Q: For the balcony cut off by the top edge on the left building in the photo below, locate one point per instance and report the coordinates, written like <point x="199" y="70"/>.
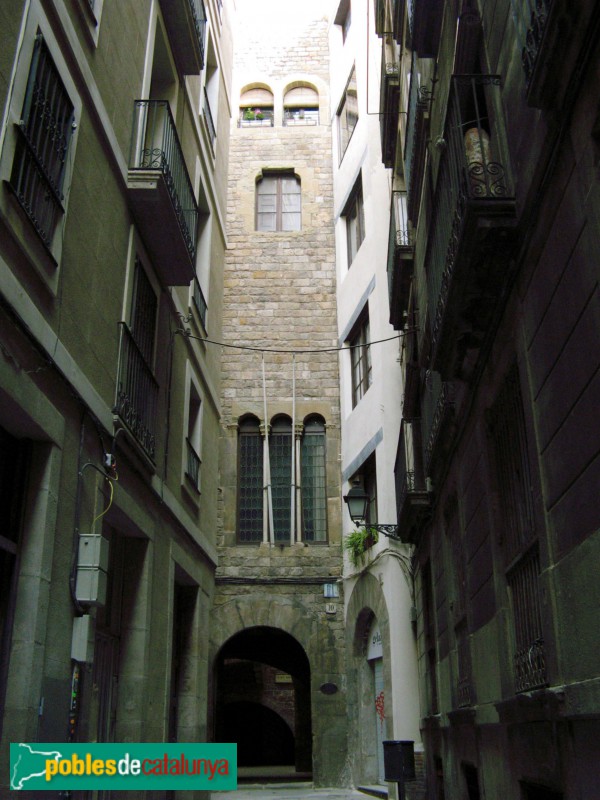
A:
<point x="185" y="21"/>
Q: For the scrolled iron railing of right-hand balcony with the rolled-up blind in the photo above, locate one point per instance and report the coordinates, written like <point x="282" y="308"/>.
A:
<point x="473" y="172"/>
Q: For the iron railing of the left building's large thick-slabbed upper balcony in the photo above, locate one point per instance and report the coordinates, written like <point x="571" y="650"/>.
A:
<point x="155" y="146"/>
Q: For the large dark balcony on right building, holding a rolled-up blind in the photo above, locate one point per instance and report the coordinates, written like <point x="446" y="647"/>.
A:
<point x="472" y="227"/>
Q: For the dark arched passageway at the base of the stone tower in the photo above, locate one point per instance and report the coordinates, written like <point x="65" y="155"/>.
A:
<point x="263" y="700"/>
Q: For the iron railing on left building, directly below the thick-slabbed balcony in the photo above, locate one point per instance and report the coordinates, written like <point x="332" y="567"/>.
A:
<point x="137" y="393"/>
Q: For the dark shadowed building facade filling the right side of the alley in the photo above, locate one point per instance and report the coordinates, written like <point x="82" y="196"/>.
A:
<point x="492" y="131"/>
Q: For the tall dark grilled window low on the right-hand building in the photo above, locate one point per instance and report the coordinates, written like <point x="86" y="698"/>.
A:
<point x="519" y="535"/>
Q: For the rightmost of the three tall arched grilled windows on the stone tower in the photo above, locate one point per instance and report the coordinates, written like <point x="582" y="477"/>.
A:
<point x="314" y="486"/>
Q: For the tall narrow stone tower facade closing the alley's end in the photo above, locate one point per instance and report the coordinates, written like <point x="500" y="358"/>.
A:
<point x="274" y="576"/>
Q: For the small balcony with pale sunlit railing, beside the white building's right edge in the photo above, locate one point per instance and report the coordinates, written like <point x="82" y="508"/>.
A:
<point x="400" y="260"/>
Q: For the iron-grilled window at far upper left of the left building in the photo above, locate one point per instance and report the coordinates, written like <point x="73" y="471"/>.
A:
<point x="42" y="148"/>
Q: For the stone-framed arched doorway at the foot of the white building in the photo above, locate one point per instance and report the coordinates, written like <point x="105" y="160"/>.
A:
<point x="366" y="603"/>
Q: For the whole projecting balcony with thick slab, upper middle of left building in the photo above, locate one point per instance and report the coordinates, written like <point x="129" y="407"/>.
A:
<point x="160" y="193"/>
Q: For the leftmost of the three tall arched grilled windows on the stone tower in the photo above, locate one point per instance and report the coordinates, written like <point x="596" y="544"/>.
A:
<point x="250" y="481"/>
